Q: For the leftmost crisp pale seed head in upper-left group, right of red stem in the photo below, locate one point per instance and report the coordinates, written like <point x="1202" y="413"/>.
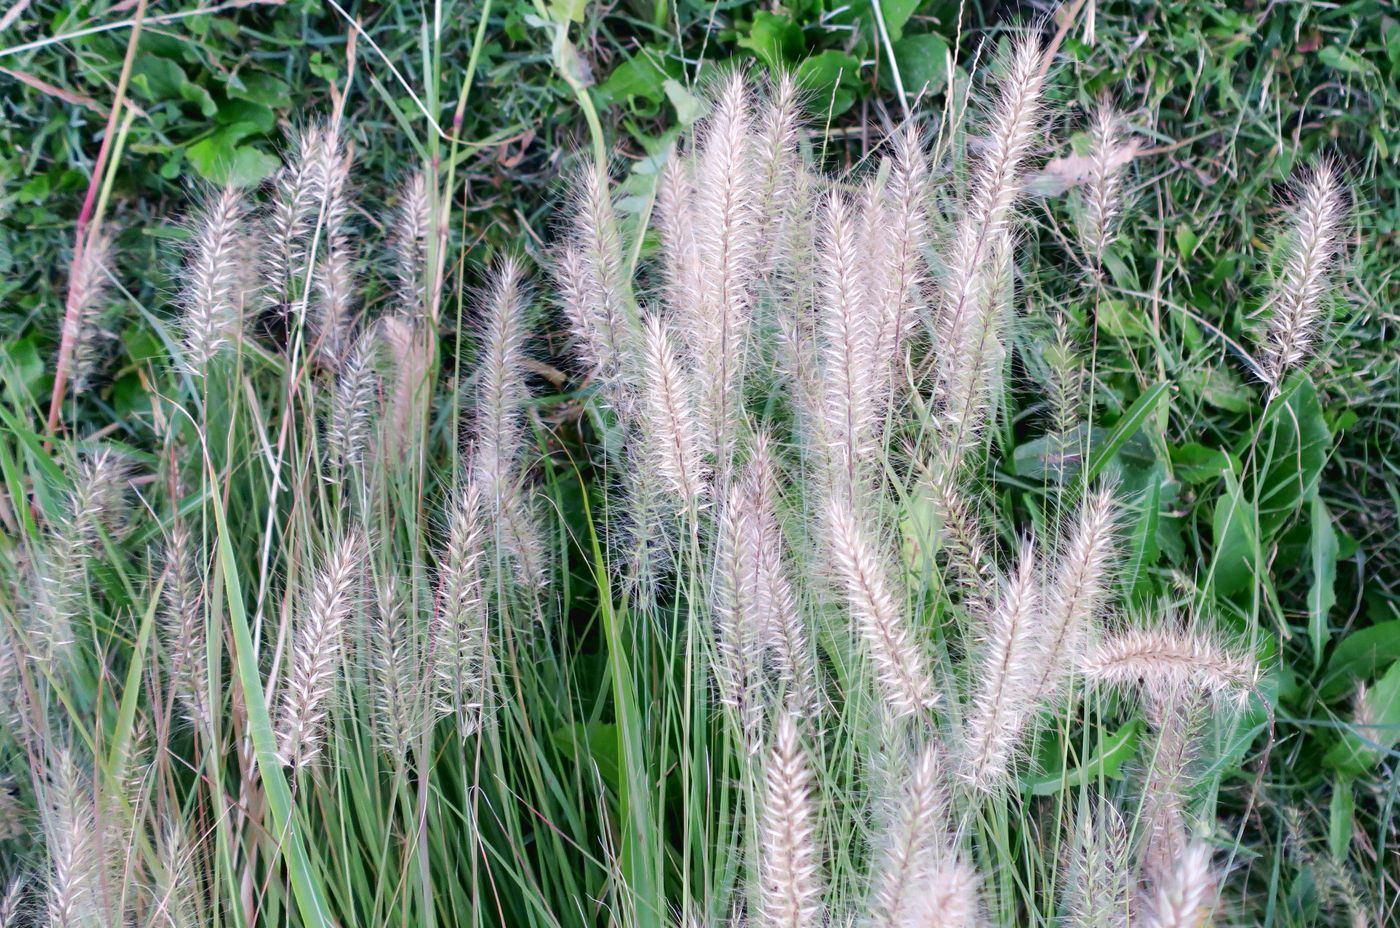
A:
<point x="215" y="286"/>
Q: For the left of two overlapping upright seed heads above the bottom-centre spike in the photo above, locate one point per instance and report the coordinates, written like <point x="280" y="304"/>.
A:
<point x="737" y="617"/>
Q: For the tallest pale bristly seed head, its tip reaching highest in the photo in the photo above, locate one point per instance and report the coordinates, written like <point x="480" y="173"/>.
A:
<point x="978" y="260"/>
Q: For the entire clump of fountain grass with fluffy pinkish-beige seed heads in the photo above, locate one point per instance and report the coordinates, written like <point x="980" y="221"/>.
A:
<point x="820" y="579"/>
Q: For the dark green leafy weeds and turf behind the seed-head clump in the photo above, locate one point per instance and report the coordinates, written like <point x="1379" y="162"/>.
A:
<point x="1228" y="99"/>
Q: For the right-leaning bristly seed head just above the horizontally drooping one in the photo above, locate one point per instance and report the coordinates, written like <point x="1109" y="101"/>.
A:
<point x="1079" y="589"/>
